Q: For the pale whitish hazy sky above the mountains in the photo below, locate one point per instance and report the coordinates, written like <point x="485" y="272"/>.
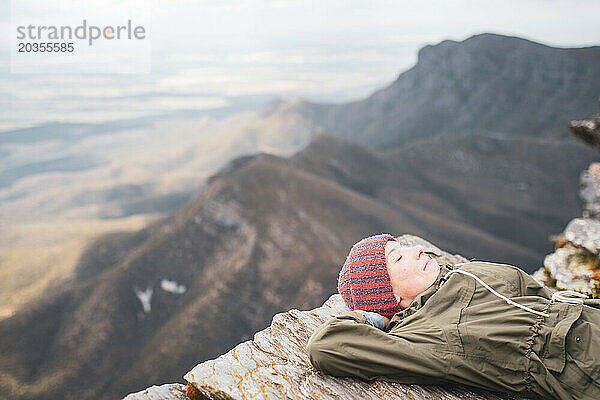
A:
<point x="327" y="50"/>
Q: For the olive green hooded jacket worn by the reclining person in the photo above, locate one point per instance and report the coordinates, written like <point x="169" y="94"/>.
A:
<point x="458" y="331"/>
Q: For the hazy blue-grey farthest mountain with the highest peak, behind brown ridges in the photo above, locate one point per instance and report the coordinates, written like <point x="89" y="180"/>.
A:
<point x="487" y="83"/>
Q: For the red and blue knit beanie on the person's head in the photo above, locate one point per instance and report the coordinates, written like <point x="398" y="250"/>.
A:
<point x="364" y="282"/>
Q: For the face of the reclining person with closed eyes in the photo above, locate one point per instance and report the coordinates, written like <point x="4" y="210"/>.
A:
<point x="410" y="270"/>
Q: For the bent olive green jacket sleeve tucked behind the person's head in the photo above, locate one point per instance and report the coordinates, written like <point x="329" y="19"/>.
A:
<point x="348" y="346"/>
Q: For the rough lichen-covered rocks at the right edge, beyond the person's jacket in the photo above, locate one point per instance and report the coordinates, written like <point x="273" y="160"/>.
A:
<point x="575" y="264"/>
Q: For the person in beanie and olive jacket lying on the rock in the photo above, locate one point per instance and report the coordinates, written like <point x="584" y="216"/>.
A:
<point x="482" y="324"/>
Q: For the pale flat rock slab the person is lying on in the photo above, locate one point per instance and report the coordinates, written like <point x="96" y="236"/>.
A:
<point x="275" y="365"/>
